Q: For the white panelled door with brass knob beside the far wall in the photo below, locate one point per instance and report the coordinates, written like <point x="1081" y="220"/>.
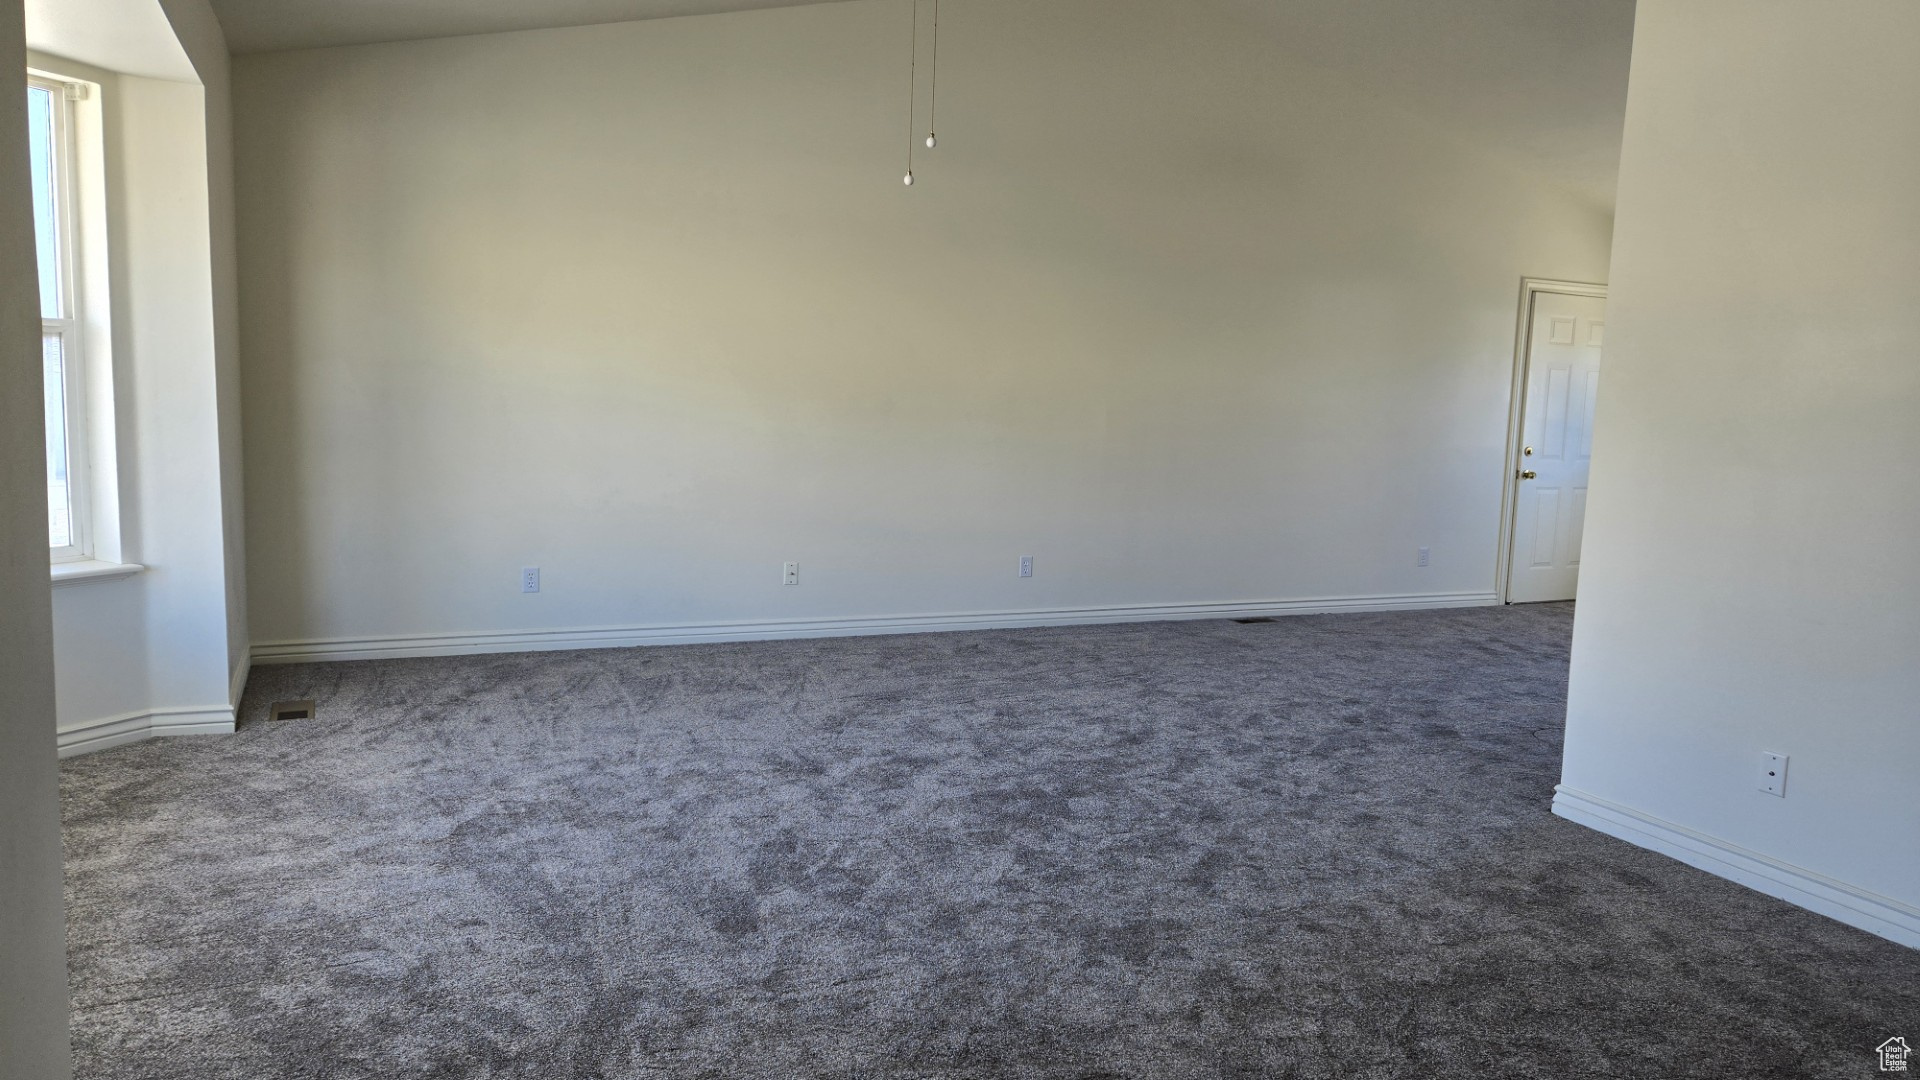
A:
<point x="1558" y="447"/>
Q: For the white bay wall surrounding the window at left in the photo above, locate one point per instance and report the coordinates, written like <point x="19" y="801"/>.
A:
<point x="162" y="649"/>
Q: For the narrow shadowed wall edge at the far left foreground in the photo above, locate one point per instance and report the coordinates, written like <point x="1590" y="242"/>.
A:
<point x="34" y="941"/>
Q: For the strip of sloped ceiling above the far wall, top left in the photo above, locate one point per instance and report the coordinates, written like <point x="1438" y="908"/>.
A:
<point x="272" y="26"/>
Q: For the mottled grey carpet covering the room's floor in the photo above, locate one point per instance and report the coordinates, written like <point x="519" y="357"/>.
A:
<point x="1307" y="848"/>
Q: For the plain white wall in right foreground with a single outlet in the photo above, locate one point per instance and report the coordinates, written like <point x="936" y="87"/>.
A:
<point x="1750" y="579"/>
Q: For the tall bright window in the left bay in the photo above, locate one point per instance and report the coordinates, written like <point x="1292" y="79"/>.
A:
<point x="51" y="134"/>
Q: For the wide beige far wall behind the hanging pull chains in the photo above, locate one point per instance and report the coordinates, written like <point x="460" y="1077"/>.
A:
<point x="1174" y="308"/>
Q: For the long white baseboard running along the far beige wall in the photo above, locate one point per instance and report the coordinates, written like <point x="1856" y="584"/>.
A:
<point x="694" y="633"/>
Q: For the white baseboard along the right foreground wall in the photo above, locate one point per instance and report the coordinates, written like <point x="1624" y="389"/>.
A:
<point x="1796" y="885"/>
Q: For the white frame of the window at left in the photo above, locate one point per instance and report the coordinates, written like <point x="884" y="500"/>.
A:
<point x="72" y="324"/>
